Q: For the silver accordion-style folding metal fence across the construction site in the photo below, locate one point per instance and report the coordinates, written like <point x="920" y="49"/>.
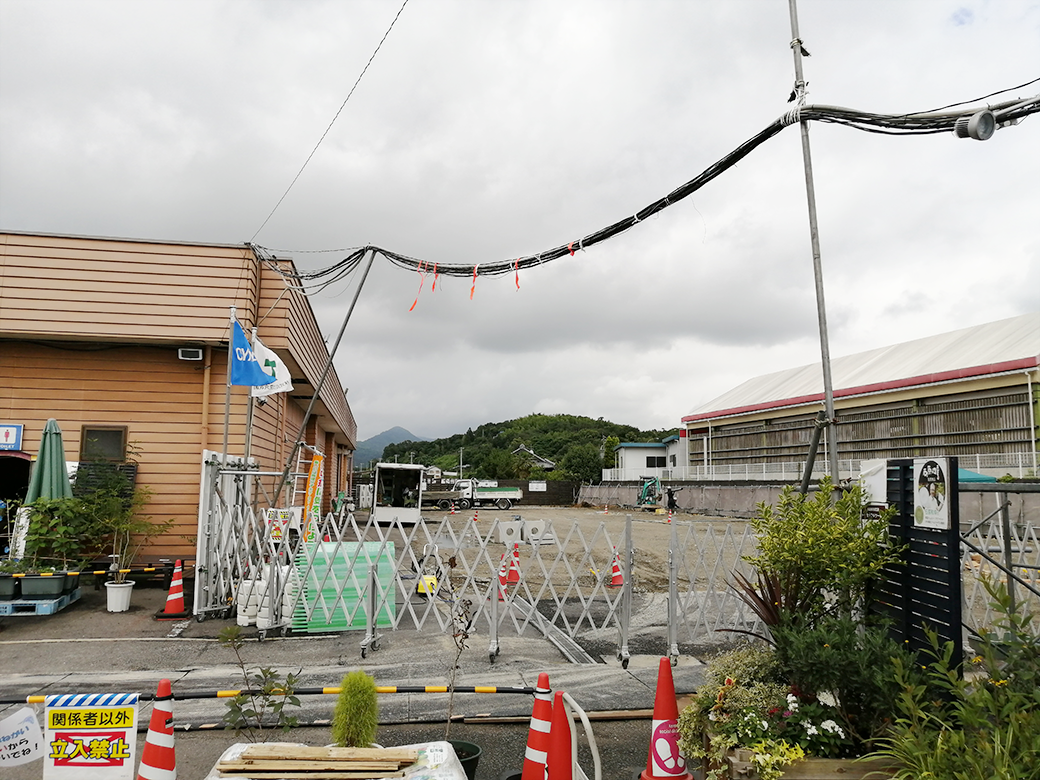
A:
<point x="579" y="584"/>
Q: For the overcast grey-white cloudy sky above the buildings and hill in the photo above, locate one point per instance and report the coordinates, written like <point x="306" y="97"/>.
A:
<point x="485" y="131"/>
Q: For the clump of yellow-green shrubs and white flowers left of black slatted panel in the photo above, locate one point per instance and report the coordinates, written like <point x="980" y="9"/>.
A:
<point x="816" y="690"/>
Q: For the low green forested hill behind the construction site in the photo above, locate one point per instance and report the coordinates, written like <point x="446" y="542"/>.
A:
<point x="580" y="447"/>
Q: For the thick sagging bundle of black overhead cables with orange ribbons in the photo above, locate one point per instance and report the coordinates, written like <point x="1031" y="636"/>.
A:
<point x="914" y="124"/>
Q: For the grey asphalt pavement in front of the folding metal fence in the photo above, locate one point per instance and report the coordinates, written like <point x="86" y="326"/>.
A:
<point x="86" y="649"/>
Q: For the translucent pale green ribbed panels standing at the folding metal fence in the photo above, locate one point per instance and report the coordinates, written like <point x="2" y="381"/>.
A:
<point x="332" y="593"/>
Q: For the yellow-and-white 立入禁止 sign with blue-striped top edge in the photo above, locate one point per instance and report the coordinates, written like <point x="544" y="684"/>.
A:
<point x="91" y="737"/>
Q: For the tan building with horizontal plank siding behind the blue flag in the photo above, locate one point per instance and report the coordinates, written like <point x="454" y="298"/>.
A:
<point x="125" y="344"/>
